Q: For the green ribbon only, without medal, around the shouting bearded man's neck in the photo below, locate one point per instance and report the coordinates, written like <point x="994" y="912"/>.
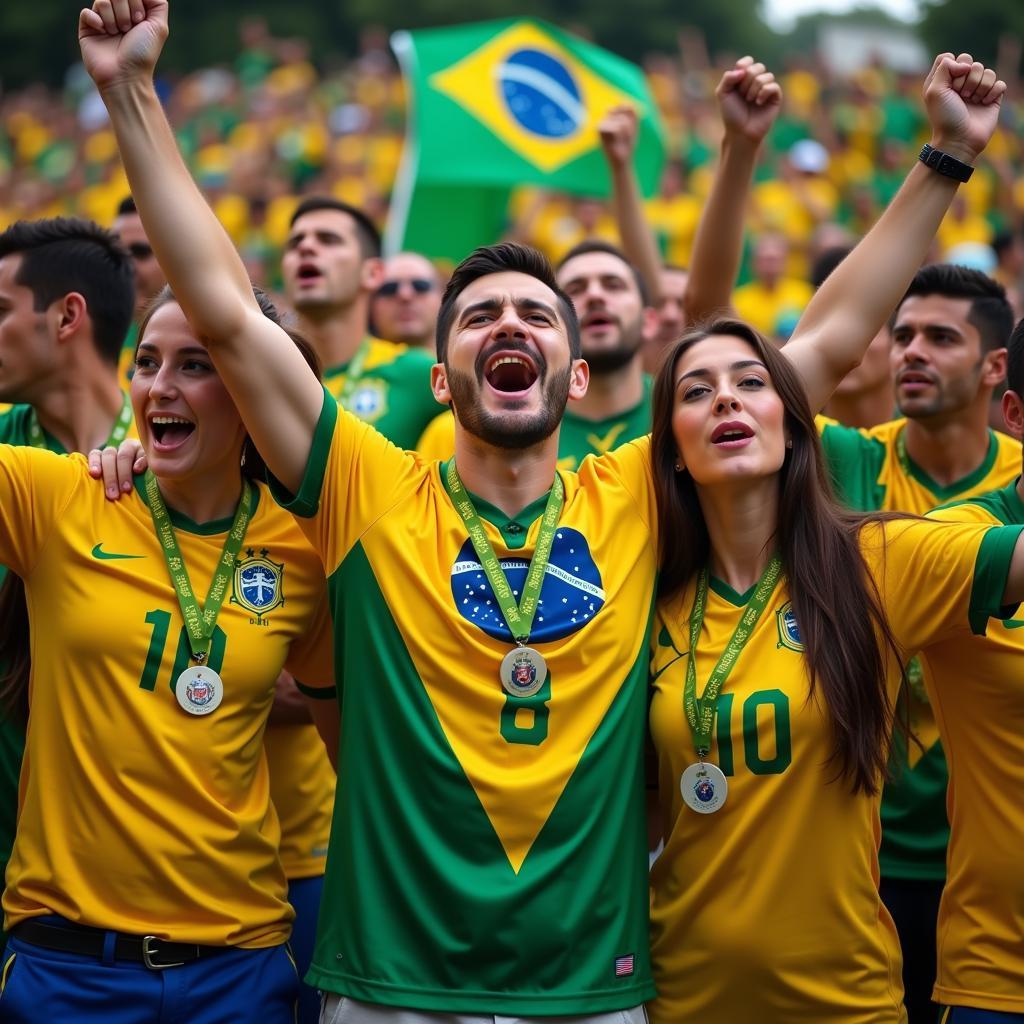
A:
<point x="519" y="618"/>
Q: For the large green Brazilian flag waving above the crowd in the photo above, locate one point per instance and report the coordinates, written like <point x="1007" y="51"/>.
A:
<point x="495" y="105"/>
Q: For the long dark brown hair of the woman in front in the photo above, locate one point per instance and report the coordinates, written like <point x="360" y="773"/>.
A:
<point x="840" y="626"/>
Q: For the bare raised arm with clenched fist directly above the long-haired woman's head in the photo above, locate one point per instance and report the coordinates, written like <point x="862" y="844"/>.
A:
<point x="749" y="101"/>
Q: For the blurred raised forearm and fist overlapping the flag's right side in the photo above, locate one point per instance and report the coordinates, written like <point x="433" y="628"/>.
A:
<point x="619" y="139"/>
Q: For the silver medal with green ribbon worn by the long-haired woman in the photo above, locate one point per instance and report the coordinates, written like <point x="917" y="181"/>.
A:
<point x="704" y="786"/>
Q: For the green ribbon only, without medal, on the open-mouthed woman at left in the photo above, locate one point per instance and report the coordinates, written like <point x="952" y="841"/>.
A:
<point x="199" y="625"/>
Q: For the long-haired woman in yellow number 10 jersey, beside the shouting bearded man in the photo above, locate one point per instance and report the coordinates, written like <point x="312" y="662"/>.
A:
<point x="782" y="630"/>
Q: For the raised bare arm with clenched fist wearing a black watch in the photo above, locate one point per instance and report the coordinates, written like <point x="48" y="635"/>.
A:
<point x="963" y="103"/>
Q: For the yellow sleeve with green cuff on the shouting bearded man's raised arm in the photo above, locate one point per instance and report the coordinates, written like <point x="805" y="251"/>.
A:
<point x="354" y="476"/>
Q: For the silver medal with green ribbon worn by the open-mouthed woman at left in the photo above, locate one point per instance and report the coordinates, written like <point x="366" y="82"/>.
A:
<point x="199" y="690"/>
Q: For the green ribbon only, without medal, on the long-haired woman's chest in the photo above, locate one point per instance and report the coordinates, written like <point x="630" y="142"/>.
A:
<point x="701" y="711"/>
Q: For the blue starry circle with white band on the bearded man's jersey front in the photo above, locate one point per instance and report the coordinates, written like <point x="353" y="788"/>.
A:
<point x="571" y="595"/>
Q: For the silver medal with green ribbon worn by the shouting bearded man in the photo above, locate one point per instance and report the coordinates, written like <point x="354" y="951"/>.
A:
<point x="524" y="670"/>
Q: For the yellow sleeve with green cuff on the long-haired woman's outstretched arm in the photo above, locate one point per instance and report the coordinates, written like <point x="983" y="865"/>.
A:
<point x="941" y="579"/>
